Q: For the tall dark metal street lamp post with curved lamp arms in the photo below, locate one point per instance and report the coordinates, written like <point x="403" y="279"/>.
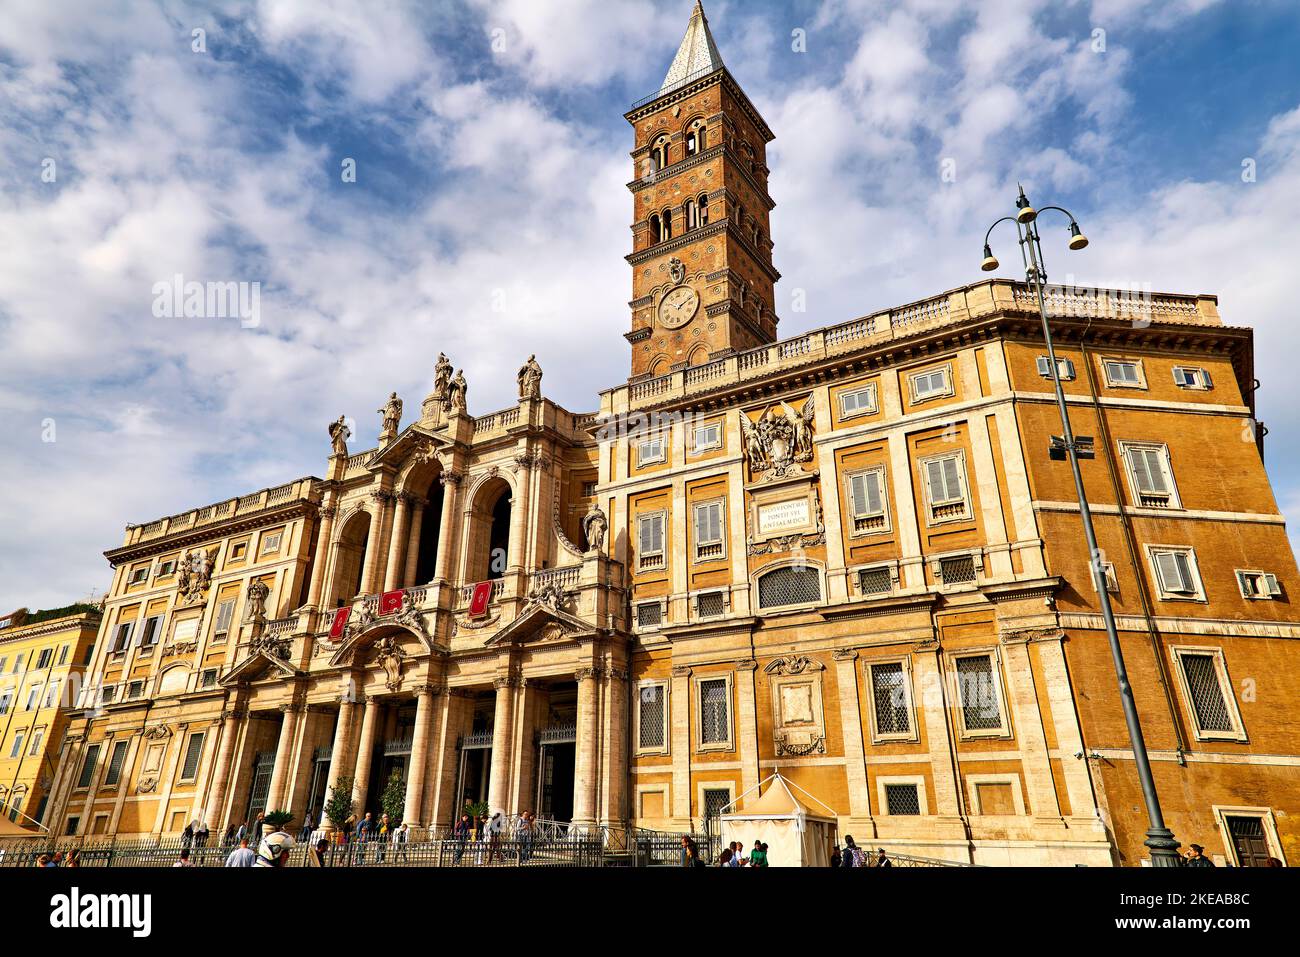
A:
<point x="1160" y="839"/>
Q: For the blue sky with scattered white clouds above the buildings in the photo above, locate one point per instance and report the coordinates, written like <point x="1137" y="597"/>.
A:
<point x="489" y="216"/>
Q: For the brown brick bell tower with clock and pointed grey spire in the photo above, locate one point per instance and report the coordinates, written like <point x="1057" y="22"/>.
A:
<point x="703" y="276"/>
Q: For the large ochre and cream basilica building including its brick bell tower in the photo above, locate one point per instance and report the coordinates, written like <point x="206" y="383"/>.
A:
<point x="847" y="556"/>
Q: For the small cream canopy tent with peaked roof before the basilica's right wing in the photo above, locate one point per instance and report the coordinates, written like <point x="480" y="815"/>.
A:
<point x="795" y="835"/>
